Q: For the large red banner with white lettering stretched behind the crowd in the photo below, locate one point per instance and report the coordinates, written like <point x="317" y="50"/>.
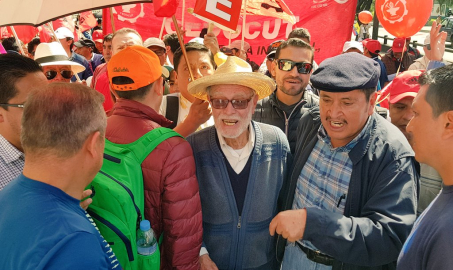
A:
<point x="329" y="22"/>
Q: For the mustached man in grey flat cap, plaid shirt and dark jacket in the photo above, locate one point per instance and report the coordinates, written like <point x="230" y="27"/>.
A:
<point x="351" y="199"/>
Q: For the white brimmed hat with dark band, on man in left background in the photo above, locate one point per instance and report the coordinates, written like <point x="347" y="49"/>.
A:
<point x="53" y="54"/>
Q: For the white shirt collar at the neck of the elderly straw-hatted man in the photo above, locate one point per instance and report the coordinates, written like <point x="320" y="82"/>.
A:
<point x="238" y="157"/>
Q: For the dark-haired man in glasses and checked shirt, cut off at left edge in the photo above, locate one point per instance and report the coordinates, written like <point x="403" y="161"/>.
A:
<point x="19" y="75"/>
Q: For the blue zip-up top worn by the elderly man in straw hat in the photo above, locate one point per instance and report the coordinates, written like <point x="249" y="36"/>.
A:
<point x="241" y="242"/>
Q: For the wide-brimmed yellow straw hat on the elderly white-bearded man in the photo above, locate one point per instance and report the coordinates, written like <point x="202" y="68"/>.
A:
<point x="234" y="71"/>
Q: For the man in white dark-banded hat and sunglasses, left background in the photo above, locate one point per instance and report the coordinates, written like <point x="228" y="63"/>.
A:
<point x="55" y="62"/>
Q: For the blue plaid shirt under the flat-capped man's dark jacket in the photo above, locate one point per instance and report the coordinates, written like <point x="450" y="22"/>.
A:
<point x="324" y="180"/>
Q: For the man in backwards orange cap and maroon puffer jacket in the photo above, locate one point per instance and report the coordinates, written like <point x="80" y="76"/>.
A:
<point x="172" y="202"/>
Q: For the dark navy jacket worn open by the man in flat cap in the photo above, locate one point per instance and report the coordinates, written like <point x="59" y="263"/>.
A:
<point x="381" y="203"/>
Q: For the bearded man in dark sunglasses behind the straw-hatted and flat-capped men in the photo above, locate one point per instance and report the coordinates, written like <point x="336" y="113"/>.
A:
<point x="291" y="68"/>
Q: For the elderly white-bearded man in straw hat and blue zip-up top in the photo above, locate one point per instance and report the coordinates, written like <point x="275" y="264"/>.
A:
<point x="241" y="167"/>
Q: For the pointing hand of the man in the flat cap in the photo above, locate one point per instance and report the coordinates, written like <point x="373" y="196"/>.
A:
<point x="289" y="224"/>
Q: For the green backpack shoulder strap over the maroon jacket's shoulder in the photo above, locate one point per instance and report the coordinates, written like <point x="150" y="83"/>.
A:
<point x="148" y="142"/>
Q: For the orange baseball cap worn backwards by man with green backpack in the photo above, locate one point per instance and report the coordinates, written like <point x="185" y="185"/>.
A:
<point x="138" y="63"/>
